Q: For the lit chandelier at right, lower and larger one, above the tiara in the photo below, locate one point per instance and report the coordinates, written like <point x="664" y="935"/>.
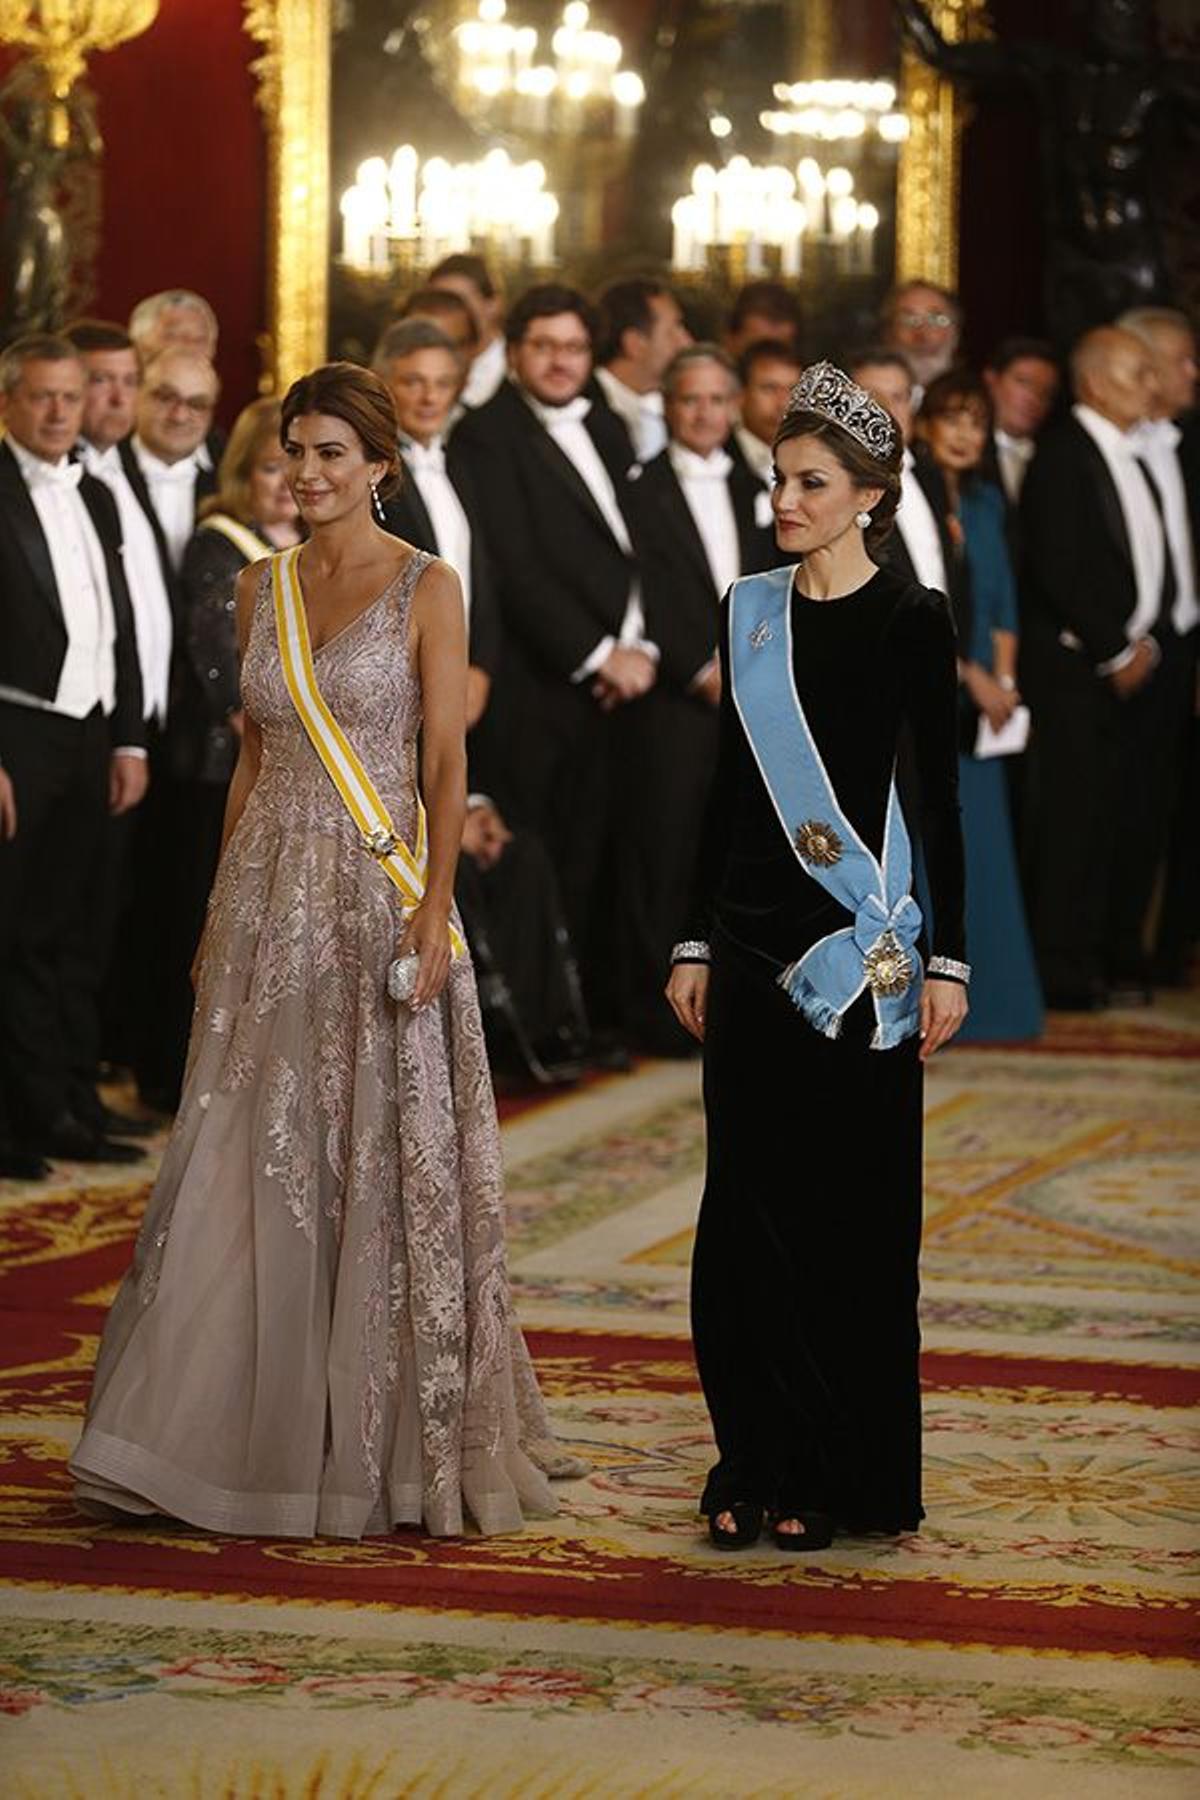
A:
<point x="762" y="217"/>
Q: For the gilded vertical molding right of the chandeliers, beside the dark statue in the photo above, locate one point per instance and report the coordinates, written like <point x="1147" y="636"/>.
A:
<point x="927" y="181"/>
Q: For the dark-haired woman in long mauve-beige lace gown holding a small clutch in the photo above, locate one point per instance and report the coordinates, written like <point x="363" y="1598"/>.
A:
<point x="318" y="1335"/>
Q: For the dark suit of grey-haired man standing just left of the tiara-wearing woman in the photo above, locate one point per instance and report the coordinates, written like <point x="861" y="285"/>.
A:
<point x="668" y="741"/>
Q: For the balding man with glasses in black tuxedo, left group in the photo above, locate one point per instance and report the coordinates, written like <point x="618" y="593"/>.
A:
<point x="170" y="474"/>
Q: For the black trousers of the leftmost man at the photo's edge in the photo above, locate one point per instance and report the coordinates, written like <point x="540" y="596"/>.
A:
<point x="48" y="894"/>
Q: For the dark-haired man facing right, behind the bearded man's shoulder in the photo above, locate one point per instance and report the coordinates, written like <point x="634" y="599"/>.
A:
<point x="641" y="327"/>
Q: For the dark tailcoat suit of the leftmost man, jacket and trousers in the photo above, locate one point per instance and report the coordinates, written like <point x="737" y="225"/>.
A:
<point x="60" y="773"/>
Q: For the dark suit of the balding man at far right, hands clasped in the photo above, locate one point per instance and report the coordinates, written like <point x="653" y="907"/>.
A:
<point x="1100" y="768"/>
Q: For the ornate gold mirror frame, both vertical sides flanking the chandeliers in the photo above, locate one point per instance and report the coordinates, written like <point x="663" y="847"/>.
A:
<point x="294" y="96"/>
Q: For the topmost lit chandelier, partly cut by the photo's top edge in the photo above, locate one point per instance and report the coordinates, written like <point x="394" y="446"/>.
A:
<point x="499" y="62"/>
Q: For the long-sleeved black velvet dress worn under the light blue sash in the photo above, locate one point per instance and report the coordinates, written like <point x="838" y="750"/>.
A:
<point x="805" y="1275"/>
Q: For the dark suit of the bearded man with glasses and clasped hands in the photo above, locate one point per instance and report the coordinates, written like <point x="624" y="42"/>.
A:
<point x="564" y="584"/>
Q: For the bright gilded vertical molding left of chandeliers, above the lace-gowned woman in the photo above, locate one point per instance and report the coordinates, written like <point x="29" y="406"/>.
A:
<point x="294" y="94"/>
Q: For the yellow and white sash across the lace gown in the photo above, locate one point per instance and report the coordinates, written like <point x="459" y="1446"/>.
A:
<point x="406" y="868"/>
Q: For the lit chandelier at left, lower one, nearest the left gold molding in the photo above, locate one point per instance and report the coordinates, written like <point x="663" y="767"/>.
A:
<point x="420" y="211"/>
